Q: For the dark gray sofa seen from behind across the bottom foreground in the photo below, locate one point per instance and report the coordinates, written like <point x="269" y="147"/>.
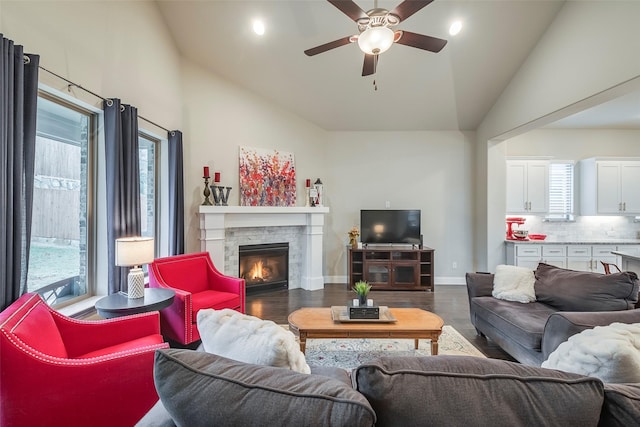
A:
<point x="202" y="389"/>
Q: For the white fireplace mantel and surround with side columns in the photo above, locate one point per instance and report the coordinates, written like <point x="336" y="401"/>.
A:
<point x="216" y="220"/>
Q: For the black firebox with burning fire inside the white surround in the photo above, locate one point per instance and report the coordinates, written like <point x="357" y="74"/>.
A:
<point x="264" y="267"/>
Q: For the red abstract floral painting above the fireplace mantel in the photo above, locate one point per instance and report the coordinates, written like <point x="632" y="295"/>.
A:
<point x="267" y="178"/>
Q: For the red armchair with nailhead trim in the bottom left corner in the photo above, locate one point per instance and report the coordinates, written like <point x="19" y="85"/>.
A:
<point x="59" y="371"/>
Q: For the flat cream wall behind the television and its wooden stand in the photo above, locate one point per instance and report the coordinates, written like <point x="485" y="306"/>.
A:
<point x="431" y="171"/>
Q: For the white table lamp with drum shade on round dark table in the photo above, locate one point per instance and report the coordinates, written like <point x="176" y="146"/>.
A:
<point x="134" y="252"/>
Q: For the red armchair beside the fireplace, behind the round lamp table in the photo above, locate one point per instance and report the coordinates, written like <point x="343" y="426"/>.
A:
<point x="198" y="284"/>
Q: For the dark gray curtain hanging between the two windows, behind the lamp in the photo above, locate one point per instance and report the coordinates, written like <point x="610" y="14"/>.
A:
<point x="123" y="183"/>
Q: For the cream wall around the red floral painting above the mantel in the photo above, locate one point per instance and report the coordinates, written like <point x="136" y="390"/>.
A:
<point x="221" y="117"/>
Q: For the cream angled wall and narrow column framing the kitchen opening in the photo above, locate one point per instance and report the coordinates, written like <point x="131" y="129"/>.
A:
<point x="587" y="51"/>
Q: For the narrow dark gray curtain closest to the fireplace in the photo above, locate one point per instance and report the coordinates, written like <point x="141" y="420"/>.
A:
<point x="176" y="194"/>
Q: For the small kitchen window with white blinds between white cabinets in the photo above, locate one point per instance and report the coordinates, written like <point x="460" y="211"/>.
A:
<point x="561" y="191"/>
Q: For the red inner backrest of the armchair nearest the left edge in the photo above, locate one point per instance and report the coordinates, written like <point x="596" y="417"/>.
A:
<point x="38" y="329"/>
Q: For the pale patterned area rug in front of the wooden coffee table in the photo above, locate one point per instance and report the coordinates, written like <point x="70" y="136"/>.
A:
<point x="351" y="353"/>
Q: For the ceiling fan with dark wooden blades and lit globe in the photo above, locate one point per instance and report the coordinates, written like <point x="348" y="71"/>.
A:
<point x="376" y="34"/>
